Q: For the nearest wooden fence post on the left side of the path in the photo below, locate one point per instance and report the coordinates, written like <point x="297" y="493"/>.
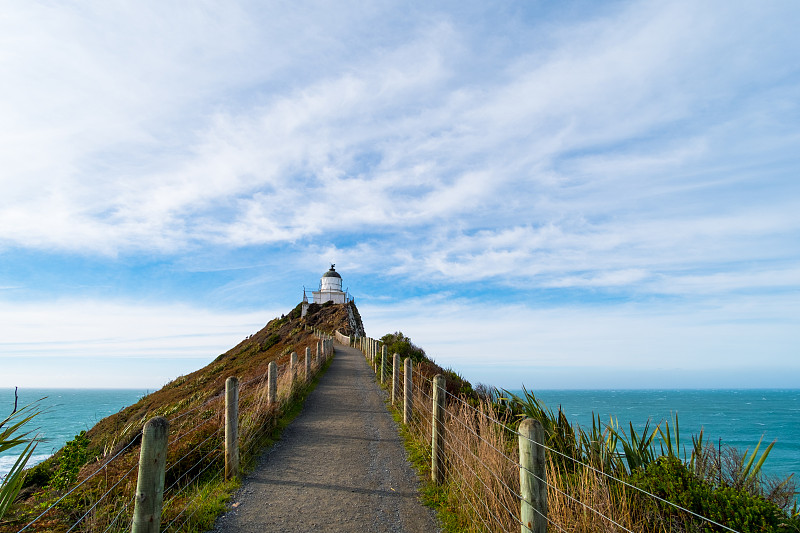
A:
<point x="150" y="485"/>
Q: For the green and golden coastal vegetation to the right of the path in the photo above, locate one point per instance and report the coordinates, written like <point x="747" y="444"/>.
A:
<point x="606" y="477"/>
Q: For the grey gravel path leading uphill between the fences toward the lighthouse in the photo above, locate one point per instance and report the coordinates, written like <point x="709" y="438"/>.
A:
<point x="339" y="466"/>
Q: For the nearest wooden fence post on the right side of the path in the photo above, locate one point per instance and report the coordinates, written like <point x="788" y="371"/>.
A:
<point x="532" y="480"/>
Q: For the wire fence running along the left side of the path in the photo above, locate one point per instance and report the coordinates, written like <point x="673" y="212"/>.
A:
<point x="103" y="498"/>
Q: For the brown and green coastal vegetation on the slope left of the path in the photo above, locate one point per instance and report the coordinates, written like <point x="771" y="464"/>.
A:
<point x="89" y="484"/>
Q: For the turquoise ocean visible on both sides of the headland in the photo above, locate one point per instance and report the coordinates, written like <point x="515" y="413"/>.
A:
<point x="739" y="417"/>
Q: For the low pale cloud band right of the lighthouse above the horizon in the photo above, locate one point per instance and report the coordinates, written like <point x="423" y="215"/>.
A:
<point x="516" y="343"/>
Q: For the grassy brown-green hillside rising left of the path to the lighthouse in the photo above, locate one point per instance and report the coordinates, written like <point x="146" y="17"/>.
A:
<point x="193" y="404"/>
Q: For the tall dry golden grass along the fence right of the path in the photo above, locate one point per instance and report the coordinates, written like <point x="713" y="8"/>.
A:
<point x="482" y="487"/>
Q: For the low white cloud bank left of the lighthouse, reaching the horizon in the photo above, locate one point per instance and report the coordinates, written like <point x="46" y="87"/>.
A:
<point x="113" y="344"/>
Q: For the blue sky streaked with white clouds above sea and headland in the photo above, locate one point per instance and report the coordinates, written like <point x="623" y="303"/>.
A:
<point x="566" y="195"/>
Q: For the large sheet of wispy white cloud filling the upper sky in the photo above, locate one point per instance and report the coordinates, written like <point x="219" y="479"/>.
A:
<point x="453" y="146"/>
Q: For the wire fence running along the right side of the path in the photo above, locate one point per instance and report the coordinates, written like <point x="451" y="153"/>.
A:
<point x="484" y="471"/>
